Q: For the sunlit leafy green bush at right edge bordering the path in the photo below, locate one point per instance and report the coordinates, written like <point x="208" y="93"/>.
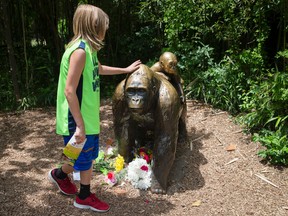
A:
<point x="266" y="107"/>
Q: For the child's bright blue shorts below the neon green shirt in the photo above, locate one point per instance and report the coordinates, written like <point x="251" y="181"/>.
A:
<point x="89" y="152"/>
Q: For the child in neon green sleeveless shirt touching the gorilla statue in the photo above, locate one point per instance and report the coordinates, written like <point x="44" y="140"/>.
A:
<point x="78" y="101"/>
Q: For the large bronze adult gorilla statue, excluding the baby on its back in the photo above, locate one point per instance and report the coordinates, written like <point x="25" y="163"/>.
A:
<point x="147" y="111"/>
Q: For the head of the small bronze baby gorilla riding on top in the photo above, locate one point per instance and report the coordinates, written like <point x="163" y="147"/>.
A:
<point x="169" y="62"/>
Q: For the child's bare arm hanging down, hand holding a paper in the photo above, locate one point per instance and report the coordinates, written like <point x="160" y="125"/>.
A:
<point x="77" y="63"/>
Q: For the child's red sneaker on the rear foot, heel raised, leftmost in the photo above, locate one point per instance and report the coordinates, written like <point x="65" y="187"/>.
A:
<point x="65" y="185"/>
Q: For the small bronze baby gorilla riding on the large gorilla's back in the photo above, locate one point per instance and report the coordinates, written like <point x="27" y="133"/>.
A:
<point x="167" y="65"/>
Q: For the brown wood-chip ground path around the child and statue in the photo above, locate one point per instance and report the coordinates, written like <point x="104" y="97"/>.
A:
<point x="207" y="180"/>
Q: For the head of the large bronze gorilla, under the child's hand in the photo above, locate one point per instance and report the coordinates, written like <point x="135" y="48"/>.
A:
<point x="139" y="89"/>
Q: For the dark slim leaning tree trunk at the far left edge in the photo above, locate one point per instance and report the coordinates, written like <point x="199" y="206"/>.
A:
<point x="10" y="49"/>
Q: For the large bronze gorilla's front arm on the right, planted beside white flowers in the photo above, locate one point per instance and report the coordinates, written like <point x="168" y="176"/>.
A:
<point x="168" y="111"/>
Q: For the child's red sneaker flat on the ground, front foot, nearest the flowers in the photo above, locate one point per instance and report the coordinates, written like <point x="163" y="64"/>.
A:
<point x="91" y="202"/>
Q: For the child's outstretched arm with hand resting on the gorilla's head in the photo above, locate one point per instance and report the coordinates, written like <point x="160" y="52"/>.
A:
<point x="107" y="70"/>
